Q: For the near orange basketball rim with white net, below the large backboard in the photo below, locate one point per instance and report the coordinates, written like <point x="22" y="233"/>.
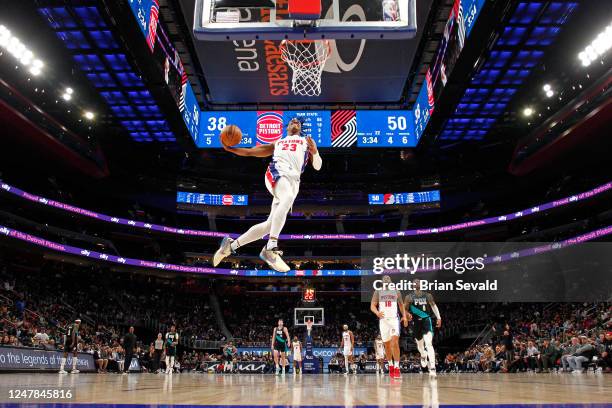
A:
<point x="307" y="59"/>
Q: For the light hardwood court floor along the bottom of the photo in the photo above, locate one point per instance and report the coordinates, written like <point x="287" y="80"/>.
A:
<point x="338" y="390"/>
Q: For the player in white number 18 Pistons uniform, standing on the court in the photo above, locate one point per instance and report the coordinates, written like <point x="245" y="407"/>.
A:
<point x="385" y="304"/>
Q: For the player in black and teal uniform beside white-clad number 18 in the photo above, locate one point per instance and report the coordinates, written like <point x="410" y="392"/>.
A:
<point x="421" y="307"/>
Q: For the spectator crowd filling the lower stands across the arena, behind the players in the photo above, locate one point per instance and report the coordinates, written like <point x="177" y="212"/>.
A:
<point x="36" y="303"/>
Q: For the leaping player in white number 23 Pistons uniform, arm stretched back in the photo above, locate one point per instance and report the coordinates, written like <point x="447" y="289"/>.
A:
<point x="289" y="158"/>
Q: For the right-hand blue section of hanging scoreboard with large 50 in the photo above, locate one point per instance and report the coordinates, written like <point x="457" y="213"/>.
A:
<point x="385" y="129"/>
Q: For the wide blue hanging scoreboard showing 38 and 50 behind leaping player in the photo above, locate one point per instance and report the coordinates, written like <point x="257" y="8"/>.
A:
<point x="374" y="128"/>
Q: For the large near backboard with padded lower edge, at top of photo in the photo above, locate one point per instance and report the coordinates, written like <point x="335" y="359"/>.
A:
<point x="340" y="19"/>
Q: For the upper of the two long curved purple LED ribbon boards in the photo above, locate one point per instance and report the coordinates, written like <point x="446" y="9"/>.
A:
<point x="380" y="235"/>
